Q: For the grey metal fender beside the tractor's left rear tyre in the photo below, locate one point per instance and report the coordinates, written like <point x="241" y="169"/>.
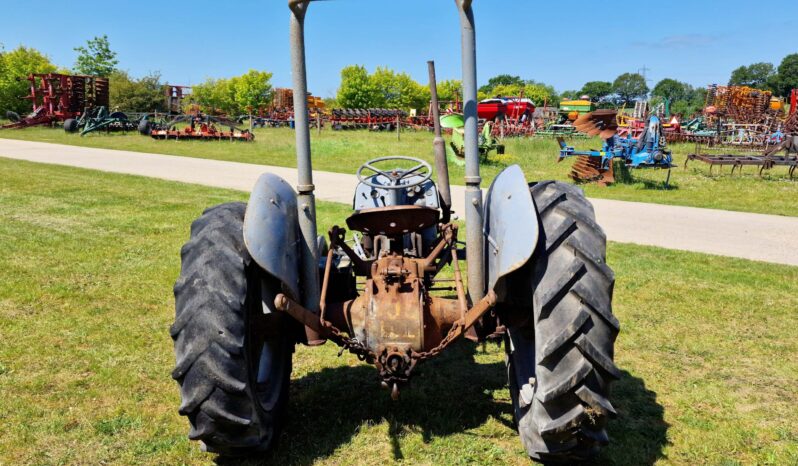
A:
<point x="271" y="230"/>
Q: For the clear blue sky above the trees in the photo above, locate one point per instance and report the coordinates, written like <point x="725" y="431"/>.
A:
<point x="560" y="43"/>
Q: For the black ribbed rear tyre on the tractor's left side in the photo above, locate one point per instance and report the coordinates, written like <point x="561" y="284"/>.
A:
<point x="233" y="350"/>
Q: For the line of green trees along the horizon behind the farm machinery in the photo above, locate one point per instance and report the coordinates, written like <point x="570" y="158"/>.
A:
<point x="383" y="88"/>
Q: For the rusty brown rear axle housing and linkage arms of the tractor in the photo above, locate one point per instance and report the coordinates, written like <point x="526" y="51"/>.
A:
<point x="395" y="323"/>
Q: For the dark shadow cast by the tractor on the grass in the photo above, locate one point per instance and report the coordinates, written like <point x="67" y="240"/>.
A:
<point x="449" y="395"/>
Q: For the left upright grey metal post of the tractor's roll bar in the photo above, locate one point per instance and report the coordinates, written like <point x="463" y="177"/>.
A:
<point x="309" y="275"/>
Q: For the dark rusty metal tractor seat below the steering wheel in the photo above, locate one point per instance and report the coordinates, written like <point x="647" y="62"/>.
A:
<point x="393" y="220"/>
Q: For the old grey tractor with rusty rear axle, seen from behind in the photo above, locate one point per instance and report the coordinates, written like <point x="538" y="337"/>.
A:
<point x="256" y="280"/>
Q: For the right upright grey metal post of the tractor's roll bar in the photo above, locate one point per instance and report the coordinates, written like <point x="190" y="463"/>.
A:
<point x="473" y="206"/>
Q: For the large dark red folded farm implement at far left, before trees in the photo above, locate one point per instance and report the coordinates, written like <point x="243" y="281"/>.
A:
<point x="58" y="97"/>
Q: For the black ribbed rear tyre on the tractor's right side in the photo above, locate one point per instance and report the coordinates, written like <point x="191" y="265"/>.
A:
<point x="560" y="361"/>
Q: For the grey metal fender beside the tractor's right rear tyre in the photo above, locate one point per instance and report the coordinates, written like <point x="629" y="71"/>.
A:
<point x="511" y="228"/>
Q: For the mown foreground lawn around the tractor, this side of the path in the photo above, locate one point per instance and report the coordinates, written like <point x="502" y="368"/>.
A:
<point x="88" y="261"/>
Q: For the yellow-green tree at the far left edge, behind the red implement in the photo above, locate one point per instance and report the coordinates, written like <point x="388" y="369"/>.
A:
<point x="15" y="66"/>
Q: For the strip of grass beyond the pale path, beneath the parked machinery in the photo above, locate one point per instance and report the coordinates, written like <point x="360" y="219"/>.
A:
<point x="343" y="152"/>
